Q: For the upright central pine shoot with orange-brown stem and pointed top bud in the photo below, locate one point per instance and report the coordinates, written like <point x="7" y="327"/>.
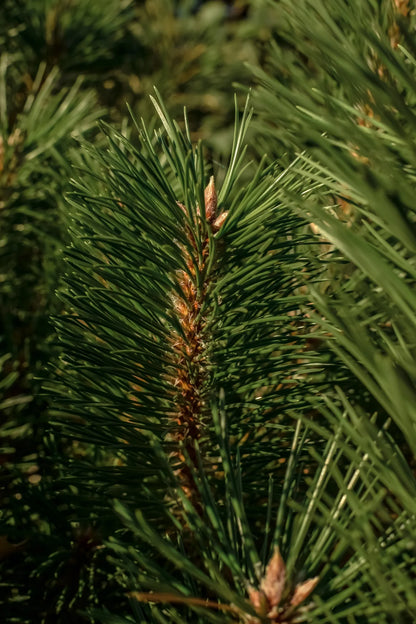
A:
<point x="176" y="306"/>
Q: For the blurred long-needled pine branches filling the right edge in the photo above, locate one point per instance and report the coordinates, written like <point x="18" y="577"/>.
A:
<point x="353" y="133"/>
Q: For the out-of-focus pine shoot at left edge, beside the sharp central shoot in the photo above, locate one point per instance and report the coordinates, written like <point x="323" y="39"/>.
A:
<point x="35" y="129"/>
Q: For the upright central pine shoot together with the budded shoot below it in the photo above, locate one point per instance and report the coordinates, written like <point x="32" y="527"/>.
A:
<point x="232" y="481"/>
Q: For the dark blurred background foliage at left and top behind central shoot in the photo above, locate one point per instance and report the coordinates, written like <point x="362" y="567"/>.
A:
<point x="64" y="63"/>
